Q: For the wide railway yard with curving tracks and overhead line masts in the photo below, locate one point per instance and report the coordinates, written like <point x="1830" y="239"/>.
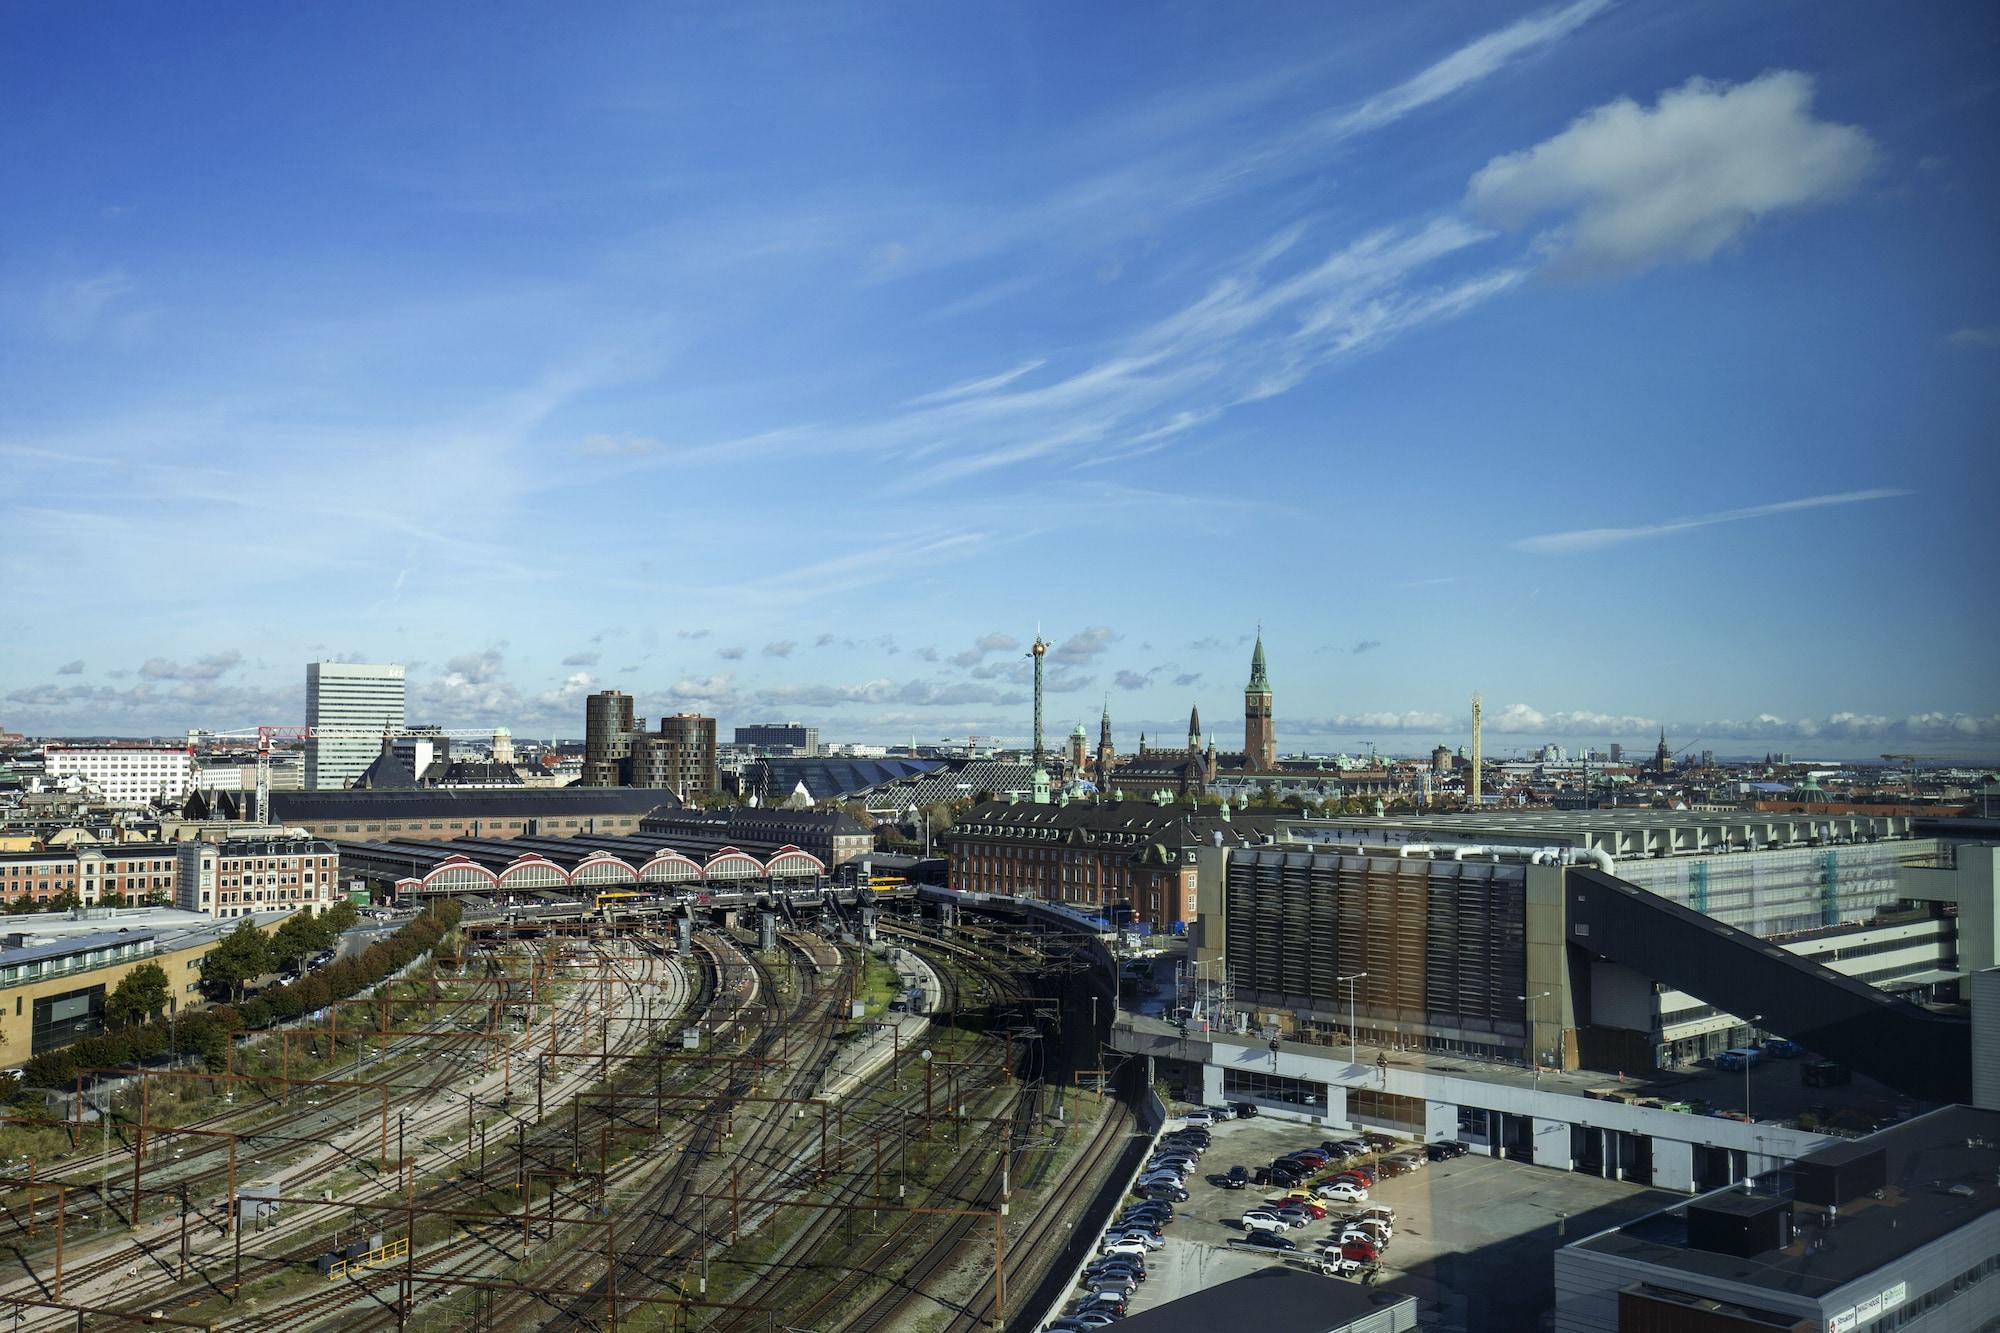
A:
<point x="595" y="1126"/>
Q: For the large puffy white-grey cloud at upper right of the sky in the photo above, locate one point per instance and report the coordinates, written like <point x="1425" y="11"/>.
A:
<point x="1681" y="181"/>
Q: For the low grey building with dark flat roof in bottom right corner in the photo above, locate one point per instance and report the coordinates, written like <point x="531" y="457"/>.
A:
<point x="1893" y="1232"/>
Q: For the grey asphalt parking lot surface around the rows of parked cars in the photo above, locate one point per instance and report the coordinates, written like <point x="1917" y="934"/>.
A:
<point x="1475" y="1238"/>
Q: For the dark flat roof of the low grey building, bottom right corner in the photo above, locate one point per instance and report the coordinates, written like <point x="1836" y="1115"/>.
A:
<point x="1943" y="1174"/>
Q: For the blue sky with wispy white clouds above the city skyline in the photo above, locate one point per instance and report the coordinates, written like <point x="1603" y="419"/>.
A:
<point x="1627" y="363"/>
